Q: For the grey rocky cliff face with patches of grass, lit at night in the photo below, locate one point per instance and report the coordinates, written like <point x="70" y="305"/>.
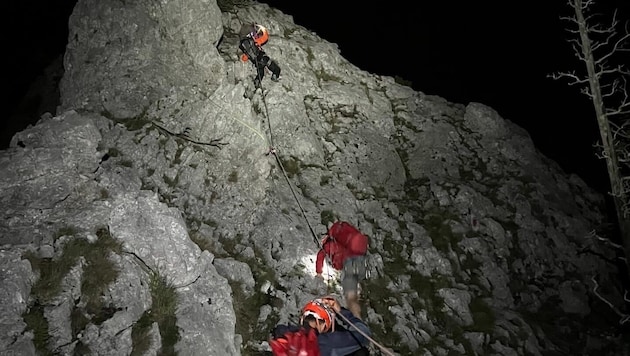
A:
<point x="149" y="216"/>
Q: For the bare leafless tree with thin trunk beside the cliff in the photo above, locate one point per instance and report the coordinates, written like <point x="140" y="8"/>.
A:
<point x="600" y="47"/>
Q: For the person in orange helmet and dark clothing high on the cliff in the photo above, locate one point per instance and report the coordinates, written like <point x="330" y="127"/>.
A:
<point x="253" y="37"/>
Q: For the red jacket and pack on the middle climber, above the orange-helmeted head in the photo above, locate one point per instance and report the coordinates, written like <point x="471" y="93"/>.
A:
<point x="344" y="241"/>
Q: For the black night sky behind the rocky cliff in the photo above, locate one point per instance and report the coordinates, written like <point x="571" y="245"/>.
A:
<point x="498" y="53"/>
